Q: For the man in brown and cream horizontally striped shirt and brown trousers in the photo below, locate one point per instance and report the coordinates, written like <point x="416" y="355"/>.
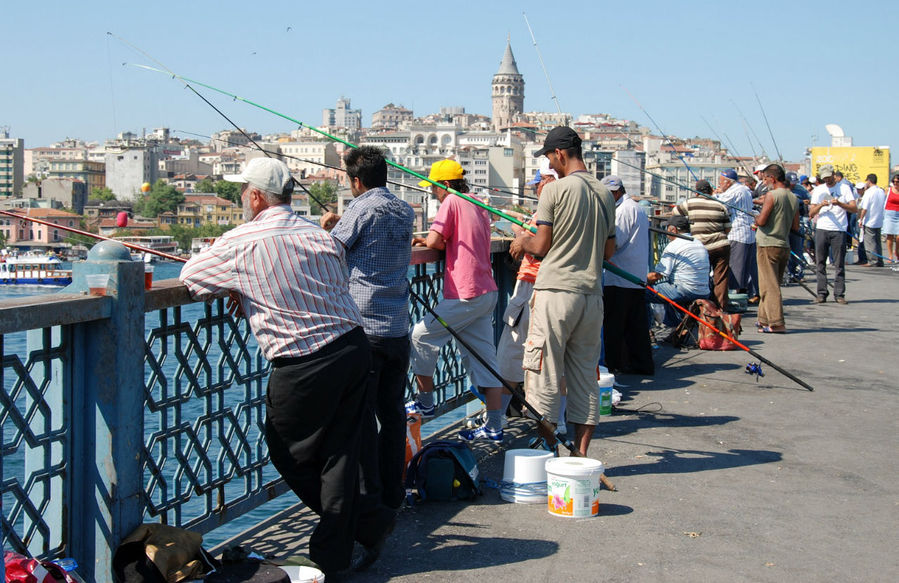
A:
<point x="710" y="225"/>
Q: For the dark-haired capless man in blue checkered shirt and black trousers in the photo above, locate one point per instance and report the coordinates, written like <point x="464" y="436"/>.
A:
<point x="376" y="229"/>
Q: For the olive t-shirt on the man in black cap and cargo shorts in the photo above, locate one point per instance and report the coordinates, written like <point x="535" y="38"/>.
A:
<point x="581" y="212"/>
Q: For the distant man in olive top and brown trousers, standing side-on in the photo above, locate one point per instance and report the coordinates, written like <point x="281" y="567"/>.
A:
<point x="780" y="213"/>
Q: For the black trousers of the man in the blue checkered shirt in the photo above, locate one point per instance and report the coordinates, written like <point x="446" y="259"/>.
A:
<point x="383" y="455"/>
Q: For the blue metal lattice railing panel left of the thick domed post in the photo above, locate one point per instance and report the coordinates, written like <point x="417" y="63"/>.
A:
<point x="34" y="436"/>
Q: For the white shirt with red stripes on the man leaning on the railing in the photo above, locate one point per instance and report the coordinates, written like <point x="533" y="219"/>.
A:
<point x="291" y="276"/>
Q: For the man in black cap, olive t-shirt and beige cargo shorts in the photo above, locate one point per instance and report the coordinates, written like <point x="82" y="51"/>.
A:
<point x="575" y="232"/>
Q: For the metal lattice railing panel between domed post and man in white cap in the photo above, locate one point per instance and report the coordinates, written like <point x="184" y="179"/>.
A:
<point x="204" y="417"/>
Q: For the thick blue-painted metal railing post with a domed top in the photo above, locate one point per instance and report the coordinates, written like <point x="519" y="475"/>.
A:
<point x="107" y="419"/>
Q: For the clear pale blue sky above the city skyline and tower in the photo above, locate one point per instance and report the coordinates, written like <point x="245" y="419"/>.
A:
<point x="697" y="68"/>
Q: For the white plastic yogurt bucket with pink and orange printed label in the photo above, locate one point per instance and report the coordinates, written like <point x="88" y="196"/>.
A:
<point x="572" y="486"/>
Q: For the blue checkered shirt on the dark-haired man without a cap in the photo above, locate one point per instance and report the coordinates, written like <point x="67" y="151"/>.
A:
<point x="376" y="230"/>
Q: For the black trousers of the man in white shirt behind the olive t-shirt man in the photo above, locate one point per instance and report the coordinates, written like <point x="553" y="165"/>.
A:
<point x="626" y="331"/>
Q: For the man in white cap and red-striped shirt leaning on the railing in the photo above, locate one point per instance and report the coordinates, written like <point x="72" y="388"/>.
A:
<point x="290" y="279"/>
